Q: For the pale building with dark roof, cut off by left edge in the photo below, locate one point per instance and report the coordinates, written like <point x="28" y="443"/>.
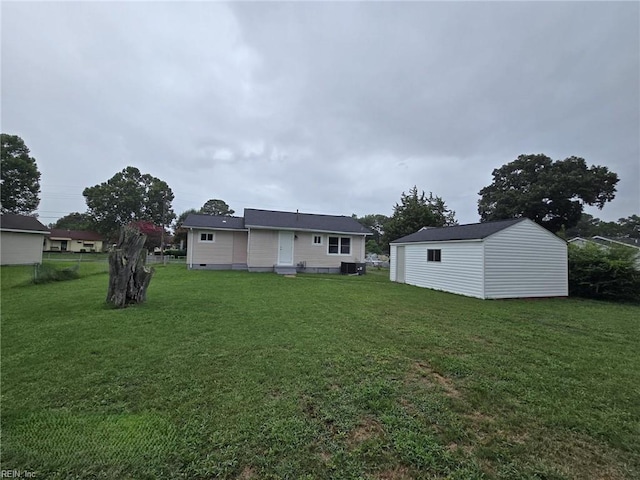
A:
<point x="21" y="239"/>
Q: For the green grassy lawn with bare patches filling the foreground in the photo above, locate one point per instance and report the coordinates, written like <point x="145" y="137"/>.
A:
<point x="238" y="375"/>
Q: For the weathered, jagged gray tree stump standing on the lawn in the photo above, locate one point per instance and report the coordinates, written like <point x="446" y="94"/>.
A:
<point x="128" y="275"/>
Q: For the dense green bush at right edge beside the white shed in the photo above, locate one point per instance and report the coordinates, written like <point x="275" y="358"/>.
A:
<point x="608" y="273"/>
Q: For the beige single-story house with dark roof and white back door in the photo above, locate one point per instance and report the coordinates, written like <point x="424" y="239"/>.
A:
<point x="268" y="241"/>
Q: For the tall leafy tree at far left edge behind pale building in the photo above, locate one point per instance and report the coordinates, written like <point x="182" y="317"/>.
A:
<point x="19" y="177"/>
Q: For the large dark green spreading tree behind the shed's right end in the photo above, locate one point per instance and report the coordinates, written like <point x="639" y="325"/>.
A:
<point x="550" y="193"/>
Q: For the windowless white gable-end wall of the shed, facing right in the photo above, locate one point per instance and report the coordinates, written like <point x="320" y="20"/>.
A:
<point x="525" y="260"/>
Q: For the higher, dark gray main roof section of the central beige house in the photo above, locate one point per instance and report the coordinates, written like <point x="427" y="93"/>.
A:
<point x="303" y="221"/>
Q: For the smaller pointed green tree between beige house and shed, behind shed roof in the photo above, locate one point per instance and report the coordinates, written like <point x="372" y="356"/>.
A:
<point x="416" y="211"/>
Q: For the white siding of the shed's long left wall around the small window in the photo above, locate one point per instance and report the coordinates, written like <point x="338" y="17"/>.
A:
<point x="459" y="271"/>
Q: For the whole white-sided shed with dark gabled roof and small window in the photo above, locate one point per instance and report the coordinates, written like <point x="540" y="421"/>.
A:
<point x="505" y="259"/>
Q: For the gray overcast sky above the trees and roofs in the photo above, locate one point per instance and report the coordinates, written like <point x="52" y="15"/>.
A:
<point x="331" y="108"/>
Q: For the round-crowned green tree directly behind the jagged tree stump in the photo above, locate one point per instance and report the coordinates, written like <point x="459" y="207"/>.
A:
<point x="129" y="196"/>
